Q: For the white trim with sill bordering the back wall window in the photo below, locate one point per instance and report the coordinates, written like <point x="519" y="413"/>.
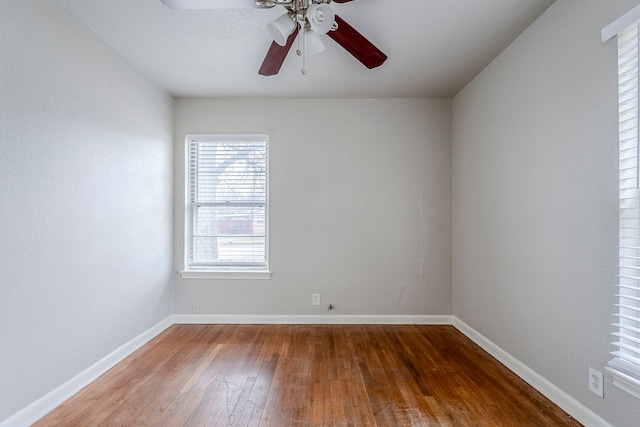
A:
<point x="222" y="273"/>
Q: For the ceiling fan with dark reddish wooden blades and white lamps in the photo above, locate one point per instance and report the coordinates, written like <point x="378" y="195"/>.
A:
<point x="309" y="17"/>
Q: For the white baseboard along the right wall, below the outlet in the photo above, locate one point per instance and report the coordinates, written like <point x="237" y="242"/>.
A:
<point x="570" y="405"/>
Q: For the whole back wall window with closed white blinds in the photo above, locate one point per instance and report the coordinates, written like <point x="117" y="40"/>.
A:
<point x="226" y="218"/>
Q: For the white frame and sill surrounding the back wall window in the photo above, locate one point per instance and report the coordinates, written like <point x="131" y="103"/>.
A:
<point x="222" y="270"/>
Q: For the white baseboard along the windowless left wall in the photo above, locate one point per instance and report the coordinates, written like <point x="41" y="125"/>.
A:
<point x="51" y="400"/>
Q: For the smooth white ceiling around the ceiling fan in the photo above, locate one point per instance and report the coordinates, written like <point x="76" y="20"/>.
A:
<point x="435" y="47"/>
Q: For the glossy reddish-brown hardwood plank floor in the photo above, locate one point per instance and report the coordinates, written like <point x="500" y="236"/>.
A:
<point x="309" y="375"/>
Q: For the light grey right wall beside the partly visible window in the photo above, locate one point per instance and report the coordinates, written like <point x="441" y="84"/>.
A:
<point x="535" y="200"/>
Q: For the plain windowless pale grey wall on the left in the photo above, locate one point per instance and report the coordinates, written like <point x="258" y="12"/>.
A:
<point x="85" y="201"/>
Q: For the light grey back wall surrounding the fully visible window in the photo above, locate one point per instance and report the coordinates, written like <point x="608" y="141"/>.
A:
<point x="360" y="206"/>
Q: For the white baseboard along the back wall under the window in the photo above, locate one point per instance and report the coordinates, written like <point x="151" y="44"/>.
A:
<point x="356" y="319"/>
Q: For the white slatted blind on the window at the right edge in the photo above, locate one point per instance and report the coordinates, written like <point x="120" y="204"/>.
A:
<point x="625" y="366"/>
